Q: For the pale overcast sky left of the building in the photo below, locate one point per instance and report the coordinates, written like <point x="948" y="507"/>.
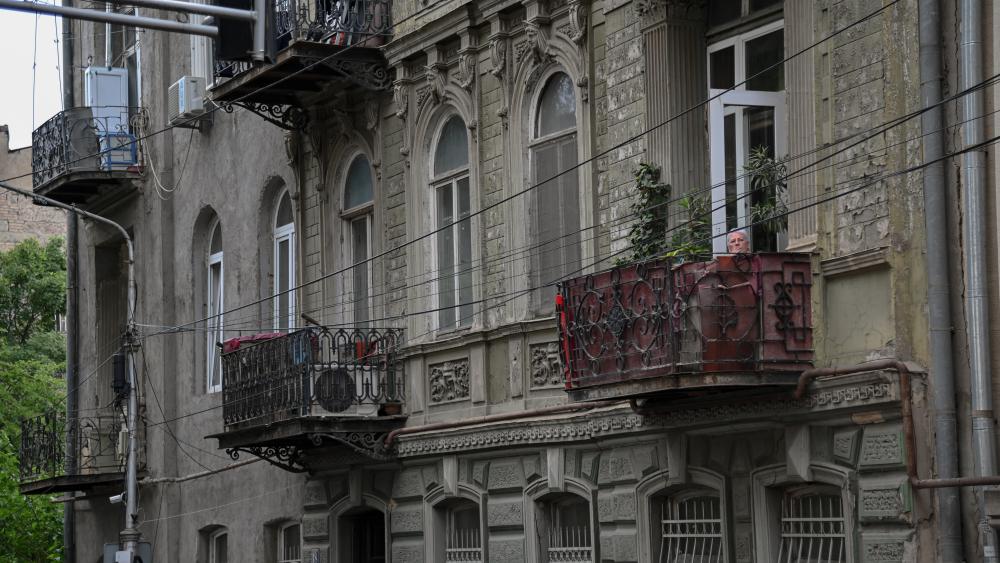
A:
<point x="25" y="50"/>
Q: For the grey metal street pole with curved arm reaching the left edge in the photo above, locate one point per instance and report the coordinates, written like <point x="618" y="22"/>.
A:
<point x="130" y="535"/>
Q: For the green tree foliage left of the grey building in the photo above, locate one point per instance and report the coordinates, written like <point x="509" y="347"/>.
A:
<point x="32" y="292"/>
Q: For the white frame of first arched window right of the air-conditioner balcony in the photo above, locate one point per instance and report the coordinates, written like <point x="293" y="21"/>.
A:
<point x="449" y="180"/>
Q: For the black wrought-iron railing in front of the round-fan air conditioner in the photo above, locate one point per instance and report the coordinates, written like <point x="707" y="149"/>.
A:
<point x="311" y="372"/>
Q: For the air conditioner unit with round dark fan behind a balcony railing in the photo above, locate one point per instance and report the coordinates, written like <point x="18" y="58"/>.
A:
<point x="337" y="391"/>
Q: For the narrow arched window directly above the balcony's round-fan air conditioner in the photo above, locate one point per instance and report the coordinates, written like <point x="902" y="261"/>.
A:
<point x="358" y="199"/>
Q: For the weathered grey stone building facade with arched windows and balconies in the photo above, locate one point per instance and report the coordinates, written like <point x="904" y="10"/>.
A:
<point x="391" y="204"/>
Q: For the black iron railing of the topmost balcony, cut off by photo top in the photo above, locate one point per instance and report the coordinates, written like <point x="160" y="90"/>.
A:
<point x="356" y="23"/>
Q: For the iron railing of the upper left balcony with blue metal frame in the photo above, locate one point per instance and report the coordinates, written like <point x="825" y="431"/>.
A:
<point x="86" y="139"/>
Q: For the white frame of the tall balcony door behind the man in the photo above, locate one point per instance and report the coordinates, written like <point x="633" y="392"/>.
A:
<point x="733" y="102"/>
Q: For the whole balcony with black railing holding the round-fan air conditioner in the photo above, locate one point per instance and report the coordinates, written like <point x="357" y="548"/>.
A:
<point x="284" y="394"/>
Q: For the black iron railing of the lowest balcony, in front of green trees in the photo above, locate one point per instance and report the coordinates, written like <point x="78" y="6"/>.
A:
<point x="42" y="453"/>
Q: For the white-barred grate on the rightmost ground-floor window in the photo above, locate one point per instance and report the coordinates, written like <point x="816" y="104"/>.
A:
<point x="812" y="529"/>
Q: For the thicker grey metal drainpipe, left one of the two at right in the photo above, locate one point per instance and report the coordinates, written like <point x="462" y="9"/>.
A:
<point x="942" y="372"/>
